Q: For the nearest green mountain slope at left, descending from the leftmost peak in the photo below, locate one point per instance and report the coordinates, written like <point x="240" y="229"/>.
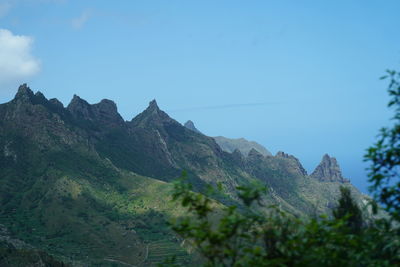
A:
<point x="59" y="195"/>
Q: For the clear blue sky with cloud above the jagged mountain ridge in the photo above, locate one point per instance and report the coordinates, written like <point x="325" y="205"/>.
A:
<point x="297" y="76"/>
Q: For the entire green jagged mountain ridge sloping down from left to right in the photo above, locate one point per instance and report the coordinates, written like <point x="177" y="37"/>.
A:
<point x="88" y="188"/>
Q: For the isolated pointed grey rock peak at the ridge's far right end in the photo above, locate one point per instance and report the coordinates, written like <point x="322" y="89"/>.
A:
<point x="329" y="171"/>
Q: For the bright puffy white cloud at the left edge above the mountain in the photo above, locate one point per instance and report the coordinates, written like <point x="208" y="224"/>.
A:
<point x="16" y="60"/>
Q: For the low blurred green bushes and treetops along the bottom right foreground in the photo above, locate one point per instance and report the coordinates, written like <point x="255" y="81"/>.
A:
<point x="248" y="238"/>
